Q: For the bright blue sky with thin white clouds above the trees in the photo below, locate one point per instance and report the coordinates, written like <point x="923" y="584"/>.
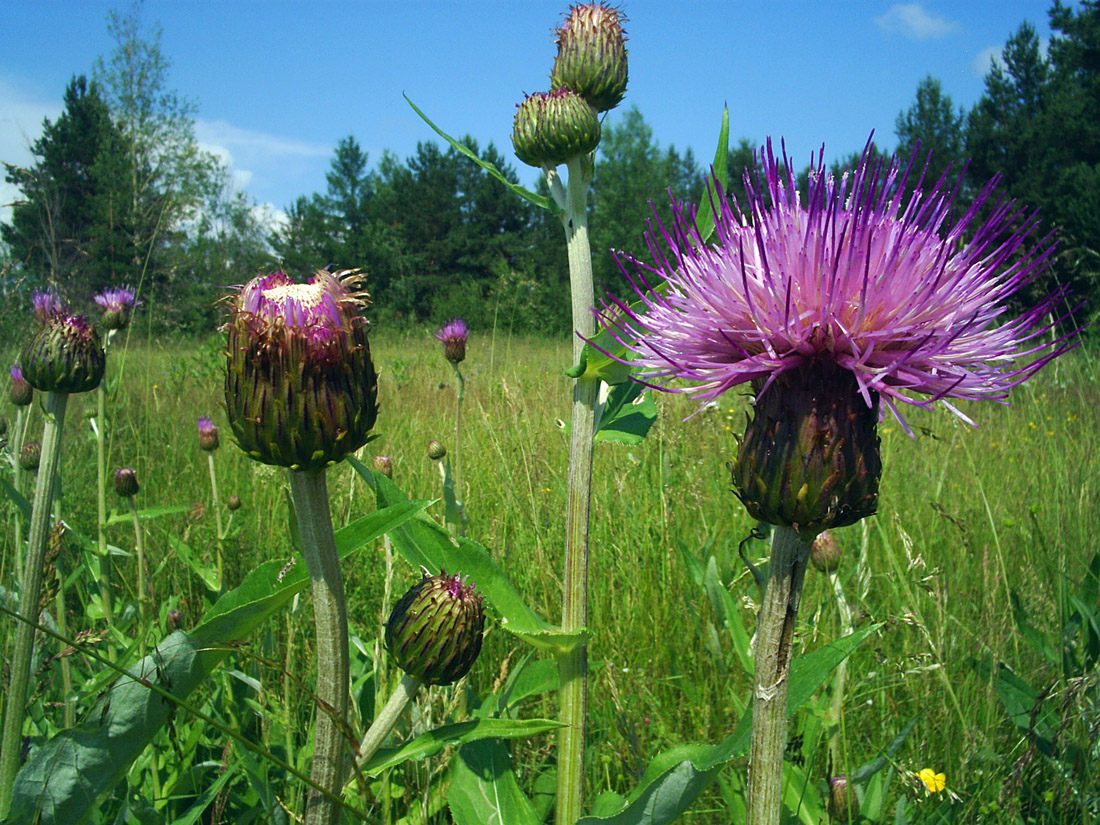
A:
<point x="277" y="84"/>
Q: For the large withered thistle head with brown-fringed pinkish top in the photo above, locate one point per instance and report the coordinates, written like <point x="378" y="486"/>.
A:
<point x="301" y="387"/>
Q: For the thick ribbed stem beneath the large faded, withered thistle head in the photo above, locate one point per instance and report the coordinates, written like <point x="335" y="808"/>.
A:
<point x="331" y="614"/>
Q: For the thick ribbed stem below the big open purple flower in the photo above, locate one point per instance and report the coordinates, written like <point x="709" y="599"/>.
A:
<point x="773" y="663"/>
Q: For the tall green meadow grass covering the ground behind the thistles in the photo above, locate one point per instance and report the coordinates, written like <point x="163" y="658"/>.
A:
<point x="967" y="518"/>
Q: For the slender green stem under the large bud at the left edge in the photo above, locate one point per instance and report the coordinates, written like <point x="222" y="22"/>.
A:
<point x="16" y="707"/>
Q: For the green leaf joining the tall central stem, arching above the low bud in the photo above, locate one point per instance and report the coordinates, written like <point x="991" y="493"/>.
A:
<point x="426" y="544"/>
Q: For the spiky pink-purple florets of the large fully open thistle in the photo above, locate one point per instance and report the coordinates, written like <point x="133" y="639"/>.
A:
<point x="889" y="291"/>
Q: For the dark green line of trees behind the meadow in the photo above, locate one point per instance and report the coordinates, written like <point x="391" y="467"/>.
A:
<point x="119" y="192"/>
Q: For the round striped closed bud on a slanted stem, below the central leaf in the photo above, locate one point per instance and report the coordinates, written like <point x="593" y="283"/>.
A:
<point x="435" y="633"/>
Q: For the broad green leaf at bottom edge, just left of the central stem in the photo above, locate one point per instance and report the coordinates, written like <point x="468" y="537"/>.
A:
<point x="483" y="788"/>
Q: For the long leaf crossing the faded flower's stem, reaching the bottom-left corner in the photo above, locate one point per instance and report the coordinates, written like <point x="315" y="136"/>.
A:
<point x="64" y="782"/>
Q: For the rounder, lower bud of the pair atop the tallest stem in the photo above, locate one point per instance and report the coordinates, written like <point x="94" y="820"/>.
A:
<point x="553" y="127"/>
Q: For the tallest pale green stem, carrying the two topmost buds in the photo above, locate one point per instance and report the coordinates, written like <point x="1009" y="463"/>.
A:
<point x="574" y="667"/>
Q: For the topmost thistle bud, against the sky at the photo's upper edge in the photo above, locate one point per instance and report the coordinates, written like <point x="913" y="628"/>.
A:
<point x="592" y="57"/>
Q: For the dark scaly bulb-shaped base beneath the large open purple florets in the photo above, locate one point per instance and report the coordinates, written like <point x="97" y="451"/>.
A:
<point x="810" y="456"/>
